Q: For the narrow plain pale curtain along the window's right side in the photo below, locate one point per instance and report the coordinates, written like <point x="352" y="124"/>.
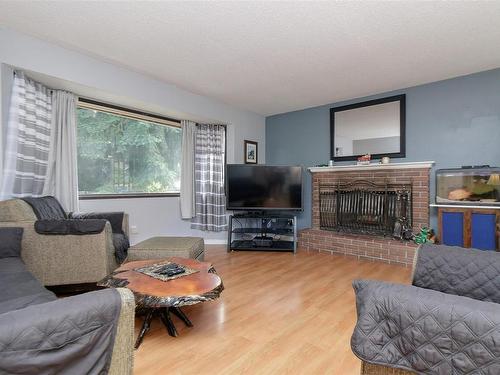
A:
<point x="187" y="169"/>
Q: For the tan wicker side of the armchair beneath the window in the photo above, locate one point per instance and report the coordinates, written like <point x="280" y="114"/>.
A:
<point x="66" y="259"/>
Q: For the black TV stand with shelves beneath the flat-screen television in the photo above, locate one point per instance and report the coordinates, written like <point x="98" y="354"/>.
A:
<point x="262" y="231"/>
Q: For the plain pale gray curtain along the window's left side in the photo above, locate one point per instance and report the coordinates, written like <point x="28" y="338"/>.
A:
<point x="62" y="174"/>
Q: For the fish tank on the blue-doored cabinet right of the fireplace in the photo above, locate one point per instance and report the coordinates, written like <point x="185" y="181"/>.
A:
<point x="479" y="185"/>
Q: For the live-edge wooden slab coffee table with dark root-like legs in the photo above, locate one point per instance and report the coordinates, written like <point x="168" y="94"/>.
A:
<point x="160" y="298"/>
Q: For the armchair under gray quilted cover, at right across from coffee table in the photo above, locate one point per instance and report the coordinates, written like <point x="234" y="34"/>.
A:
<point x="446" y="322"/>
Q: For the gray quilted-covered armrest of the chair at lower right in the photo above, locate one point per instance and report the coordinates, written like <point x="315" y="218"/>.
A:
<point x="425" y="331"/>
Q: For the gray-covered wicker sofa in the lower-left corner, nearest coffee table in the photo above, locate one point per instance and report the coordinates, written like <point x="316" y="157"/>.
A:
<point x="91" y="333"/>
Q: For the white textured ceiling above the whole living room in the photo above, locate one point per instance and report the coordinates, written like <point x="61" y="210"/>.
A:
<point x="273" y="57"/>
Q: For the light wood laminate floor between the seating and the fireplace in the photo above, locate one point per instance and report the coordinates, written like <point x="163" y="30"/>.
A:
<point x="279" y="314"/>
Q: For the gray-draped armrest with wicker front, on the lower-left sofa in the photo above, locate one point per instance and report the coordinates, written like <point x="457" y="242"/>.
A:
<point x="73" y="335"/>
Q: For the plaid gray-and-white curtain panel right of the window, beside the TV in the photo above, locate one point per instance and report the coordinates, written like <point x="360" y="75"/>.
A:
<point x="210" y="200"/>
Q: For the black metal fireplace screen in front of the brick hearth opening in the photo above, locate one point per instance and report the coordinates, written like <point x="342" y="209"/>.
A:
<point x="362" y="206"/>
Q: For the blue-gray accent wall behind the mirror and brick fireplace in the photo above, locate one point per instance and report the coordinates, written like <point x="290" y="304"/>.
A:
<point x="454" y="122"/>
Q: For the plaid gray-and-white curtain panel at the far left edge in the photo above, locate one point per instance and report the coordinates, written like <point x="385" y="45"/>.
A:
<point x="28" y="138"/>
